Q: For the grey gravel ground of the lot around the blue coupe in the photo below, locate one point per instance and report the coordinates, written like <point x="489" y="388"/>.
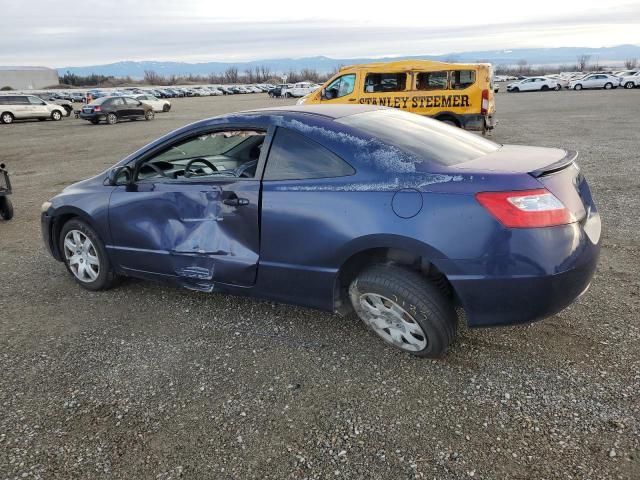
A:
<point x="147" y="381"/>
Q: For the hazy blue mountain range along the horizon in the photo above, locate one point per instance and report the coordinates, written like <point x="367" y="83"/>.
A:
<point x="533" y="56"/>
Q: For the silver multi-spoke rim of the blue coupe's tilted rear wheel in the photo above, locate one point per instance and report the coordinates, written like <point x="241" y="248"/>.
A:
<point x="391" y="322"/>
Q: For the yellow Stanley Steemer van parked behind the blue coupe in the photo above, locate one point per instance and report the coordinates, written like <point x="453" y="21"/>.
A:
<point x="460" y="94"/>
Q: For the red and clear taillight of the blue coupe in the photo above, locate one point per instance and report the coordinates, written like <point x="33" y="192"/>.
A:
<point x="526" y="208"/>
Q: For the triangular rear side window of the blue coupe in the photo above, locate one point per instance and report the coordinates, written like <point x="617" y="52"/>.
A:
<point x="294" y="157"/>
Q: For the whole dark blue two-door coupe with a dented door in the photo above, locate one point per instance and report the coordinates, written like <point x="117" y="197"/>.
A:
<point x="393" y="216"/>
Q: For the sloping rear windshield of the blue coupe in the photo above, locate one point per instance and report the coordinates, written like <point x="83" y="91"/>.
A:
<point x="423" y="137"/>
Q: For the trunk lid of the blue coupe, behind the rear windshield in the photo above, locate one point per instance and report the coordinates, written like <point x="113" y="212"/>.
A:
<point x="519" y="159"/>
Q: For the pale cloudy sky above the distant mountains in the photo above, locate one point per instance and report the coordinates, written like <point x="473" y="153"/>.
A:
<point x="89" y="32"/>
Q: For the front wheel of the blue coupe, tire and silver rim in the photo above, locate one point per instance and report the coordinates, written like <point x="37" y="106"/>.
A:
<point x="85" y="257"/>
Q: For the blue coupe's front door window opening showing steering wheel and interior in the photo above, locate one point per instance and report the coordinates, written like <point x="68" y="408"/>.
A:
<point x="217" y="154"/>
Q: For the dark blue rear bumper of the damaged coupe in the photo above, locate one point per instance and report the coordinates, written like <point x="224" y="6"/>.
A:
<point x="491" y="298"/>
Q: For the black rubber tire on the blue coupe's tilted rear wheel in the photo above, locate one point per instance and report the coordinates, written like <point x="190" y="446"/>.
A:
<point x="424" y="303"/>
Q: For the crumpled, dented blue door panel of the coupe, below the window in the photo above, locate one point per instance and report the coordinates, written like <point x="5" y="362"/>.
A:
<point x="201" y="232"/>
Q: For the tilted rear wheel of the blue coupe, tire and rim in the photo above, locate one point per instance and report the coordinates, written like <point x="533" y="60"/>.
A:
<point x="404" y="309"/>
